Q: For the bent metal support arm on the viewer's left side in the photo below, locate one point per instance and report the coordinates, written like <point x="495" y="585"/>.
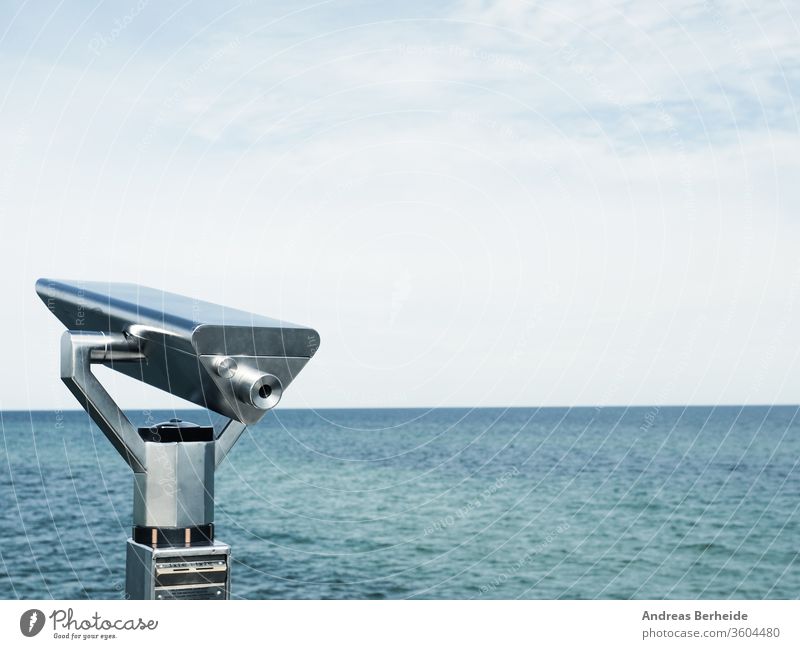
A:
<point x="79" y="349"/>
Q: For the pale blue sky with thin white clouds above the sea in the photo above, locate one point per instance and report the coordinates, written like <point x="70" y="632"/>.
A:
<point x="475" y="203"/>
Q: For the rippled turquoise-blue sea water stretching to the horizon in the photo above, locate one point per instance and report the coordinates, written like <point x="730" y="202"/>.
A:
<point x="447" y="503"/>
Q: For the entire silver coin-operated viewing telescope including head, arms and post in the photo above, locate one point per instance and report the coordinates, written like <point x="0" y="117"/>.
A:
<point x="233" y="363"/>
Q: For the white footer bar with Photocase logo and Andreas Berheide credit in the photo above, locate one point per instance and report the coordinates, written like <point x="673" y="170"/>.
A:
<point x="378" y="624"/>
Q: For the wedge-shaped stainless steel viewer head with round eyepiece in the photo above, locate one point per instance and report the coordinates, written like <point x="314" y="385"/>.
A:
<point x="232" y="362"/>
